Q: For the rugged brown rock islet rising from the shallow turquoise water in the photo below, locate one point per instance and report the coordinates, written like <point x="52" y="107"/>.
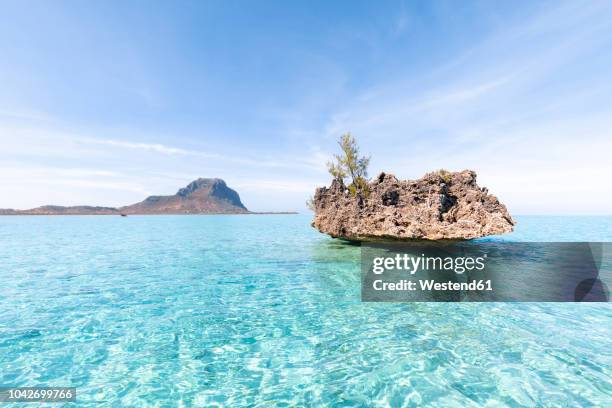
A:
<point x="441" y="205"/>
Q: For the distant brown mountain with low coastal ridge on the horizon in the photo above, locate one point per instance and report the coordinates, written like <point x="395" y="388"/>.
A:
<point x="202" y="196"/>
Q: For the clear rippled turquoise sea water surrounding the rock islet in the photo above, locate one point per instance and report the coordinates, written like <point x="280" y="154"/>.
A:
<point x="264" y="311"/>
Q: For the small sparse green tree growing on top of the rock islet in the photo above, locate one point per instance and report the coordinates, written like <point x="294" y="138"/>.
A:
<point x="349" y="163"/>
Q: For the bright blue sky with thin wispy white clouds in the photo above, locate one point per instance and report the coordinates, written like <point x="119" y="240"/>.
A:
<point x="107" y="102"/>
